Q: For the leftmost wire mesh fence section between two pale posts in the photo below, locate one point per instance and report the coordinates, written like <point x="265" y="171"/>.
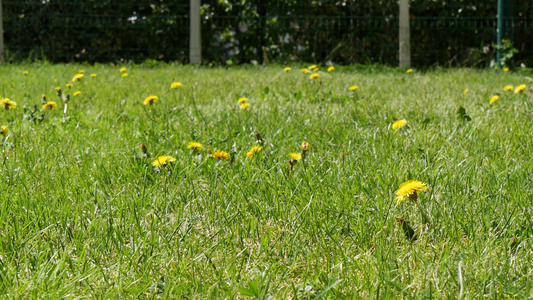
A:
<point x="96" y="30"/>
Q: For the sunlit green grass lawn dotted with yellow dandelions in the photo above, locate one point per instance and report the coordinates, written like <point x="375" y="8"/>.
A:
<point x="84" y="215"/>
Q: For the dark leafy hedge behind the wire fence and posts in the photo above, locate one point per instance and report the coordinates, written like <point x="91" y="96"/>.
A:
<point x="445" y="33"/>
